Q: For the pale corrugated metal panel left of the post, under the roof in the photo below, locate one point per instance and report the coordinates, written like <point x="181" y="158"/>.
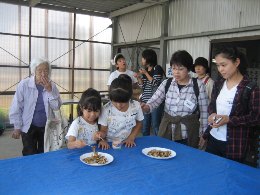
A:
<point x="131" y="23"/>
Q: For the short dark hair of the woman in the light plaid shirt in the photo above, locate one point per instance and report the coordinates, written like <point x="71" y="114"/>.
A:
<point x="182" y="57"/>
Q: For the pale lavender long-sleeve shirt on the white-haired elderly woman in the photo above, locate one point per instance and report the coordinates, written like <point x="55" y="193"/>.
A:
<point x="24" y="102"/>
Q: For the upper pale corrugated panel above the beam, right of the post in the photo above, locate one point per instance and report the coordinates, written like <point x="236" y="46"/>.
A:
<point x="195" y="16"/>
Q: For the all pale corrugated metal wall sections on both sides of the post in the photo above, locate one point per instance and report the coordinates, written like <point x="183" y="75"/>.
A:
<point x="187" y="17"/>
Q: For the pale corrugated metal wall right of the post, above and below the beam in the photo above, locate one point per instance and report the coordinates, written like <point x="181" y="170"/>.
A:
<point x="187" y="17"/>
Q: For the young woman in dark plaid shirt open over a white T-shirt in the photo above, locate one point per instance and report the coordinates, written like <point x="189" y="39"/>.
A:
<point x="230" y="121"/>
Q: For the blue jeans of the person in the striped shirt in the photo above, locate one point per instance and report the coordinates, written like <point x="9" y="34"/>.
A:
<point x="153" y="120"/>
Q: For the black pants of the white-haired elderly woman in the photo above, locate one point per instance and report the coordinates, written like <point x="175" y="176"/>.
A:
<point x="33" y="140"/>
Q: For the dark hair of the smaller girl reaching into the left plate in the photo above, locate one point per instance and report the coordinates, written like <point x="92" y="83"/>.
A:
<point x="91" y="100"/>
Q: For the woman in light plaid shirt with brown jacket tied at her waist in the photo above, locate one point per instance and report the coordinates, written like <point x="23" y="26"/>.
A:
<point x="185" y="115"/>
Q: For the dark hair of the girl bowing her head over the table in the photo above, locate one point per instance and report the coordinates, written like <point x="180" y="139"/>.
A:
<point x="120" y="90"/>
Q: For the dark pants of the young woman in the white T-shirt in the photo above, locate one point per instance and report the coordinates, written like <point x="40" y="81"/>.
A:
<point x="216" y="147"/>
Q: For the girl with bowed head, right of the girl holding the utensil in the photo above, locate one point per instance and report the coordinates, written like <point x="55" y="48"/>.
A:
<point x="121" y="117"/>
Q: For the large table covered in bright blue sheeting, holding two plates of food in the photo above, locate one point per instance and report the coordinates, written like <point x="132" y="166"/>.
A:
<point x="190" y="172"/>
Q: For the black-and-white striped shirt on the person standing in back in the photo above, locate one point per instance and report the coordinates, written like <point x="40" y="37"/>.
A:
<point x="149" y="87"/>
